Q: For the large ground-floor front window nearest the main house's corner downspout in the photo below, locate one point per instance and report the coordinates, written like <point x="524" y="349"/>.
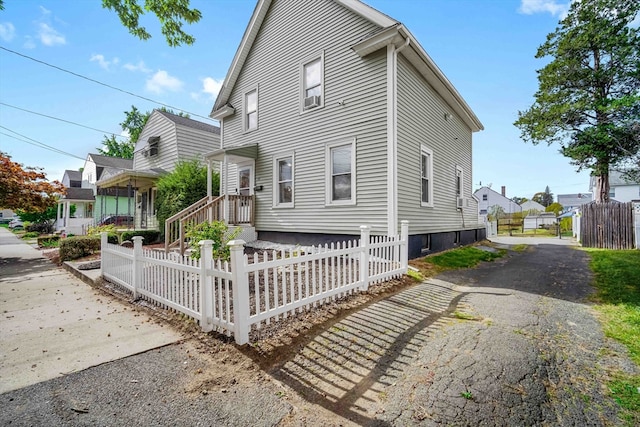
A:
<point x="341" y="173"/>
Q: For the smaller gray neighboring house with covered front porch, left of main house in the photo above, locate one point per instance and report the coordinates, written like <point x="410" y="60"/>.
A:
<point x="165" y="139"/>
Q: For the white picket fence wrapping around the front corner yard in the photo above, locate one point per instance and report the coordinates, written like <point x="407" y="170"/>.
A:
<point x="249" y="291"/>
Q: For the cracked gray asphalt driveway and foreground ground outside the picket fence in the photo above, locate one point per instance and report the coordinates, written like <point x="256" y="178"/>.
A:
<point x="510" y="343"/>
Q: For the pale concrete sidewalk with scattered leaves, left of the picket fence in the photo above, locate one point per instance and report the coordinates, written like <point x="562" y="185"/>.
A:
<point x="53" y="324"/>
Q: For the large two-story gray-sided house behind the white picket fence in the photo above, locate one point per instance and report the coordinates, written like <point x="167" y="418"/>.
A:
<point x="333" y="116"/>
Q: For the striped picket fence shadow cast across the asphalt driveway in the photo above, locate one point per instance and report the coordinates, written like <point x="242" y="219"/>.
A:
<point x="348" y="364"/>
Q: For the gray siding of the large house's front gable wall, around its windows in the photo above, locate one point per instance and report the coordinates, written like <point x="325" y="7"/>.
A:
<point x="294" y="31"/>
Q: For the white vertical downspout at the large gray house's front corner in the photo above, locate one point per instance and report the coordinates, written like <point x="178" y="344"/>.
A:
<point x="392" y="136"/>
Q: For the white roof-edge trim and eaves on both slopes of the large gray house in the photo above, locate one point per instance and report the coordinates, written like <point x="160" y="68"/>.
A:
<point x="391" y="31"/>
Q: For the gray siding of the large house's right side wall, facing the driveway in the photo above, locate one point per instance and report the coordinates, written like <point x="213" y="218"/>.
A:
<point x="421" y="121"/>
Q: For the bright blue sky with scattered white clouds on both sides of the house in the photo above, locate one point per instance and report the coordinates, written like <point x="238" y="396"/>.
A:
<point x="486" y="49"/>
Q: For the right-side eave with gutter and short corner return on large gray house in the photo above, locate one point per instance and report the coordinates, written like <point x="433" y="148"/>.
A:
<point x="418" y="57"/>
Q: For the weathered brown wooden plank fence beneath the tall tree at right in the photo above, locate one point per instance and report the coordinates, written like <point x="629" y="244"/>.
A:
<point x="607" y="225"/>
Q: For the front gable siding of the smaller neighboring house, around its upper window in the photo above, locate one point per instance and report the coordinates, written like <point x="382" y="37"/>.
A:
<point x="157" y="125"/>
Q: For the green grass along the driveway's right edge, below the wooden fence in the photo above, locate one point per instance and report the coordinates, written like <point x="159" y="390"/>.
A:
<point x="617" y="280"/>
